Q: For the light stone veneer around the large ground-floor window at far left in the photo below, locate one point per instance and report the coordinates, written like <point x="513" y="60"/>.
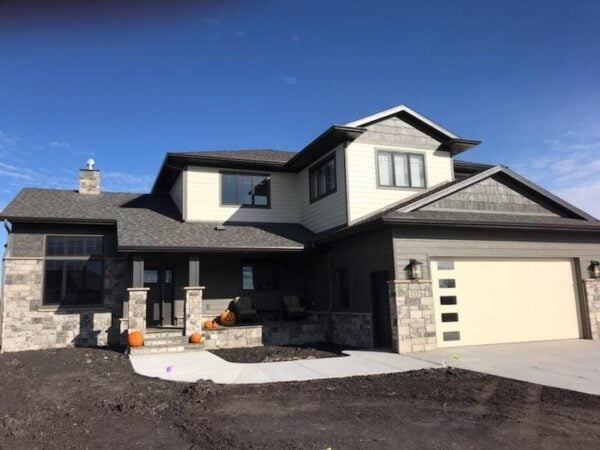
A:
<point x="29" y="325"/>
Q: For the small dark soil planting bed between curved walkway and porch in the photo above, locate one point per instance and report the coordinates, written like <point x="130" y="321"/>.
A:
<point x="274" y="353"/>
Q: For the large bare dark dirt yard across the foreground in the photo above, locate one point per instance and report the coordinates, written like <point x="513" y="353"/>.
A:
<point x="81" y="398"/>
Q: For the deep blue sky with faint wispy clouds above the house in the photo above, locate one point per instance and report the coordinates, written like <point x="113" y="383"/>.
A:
<point x="125" y="84"/>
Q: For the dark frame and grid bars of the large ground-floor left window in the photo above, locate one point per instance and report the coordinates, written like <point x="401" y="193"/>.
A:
<point x="65" y="259"/>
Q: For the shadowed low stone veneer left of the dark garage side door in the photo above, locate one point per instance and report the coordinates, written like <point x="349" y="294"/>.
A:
<point x="346" y="328"/>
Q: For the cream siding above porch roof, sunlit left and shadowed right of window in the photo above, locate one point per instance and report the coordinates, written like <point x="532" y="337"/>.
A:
<point x="204" y="198"/>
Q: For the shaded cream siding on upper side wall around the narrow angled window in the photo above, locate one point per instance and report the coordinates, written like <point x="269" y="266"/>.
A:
<point x="329" y="211"/>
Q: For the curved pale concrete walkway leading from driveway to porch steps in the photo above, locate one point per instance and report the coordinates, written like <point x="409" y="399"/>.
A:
<point x="194" y="366"/>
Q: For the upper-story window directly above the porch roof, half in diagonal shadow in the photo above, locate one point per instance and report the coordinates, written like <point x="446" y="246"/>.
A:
<point x="246" y="189"/>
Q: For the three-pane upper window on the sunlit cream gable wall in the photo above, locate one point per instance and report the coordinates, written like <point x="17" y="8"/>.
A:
<point x="401" y="169"/>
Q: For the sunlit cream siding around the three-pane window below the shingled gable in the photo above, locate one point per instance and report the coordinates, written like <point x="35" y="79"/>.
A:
<point x="365" y="197"/>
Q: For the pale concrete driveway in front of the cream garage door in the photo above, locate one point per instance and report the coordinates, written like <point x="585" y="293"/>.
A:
<point x="572" y="364"/>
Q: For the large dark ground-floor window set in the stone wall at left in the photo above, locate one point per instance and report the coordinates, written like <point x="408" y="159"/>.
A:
<point x="73" y="270"/>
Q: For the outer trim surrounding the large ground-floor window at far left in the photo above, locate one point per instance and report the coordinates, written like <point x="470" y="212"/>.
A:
<point x="43" y="306"/>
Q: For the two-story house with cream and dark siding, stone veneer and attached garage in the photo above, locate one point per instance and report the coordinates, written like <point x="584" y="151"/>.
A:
<point x="387" y="238"/>
